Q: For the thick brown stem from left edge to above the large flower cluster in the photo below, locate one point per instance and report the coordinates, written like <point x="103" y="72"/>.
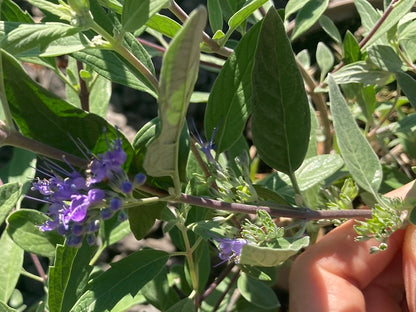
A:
<point x="14" y="138"/>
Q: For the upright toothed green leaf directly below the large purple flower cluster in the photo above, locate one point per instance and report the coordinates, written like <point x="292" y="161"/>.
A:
<point x="68" y="276"/>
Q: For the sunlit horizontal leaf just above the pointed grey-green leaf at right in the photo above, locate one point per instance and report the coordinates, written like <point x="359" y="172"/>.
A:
<point x="361" y="72"/>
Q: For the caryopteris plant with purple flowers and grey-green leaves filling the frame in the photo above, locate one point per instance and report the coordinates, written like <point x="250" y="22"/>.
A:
<point x="295" y="138"/>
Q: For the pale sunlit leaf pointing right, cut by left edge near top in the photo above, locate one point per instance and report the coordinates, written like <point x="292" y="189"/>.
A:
<point x="18" y="38"/>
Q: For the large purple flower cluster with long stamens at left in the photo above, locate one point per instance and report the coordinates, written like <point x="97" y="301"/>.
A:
<point x="77" y="204"/>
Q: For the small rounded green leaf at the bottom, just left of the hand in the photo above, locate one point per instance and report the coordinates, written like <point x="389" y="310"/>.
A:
<point x="257" y="292"/>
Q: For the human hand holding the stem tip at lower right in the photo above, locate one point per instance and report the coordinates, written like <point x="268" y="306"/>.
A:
<point x="339" y="274"/>
